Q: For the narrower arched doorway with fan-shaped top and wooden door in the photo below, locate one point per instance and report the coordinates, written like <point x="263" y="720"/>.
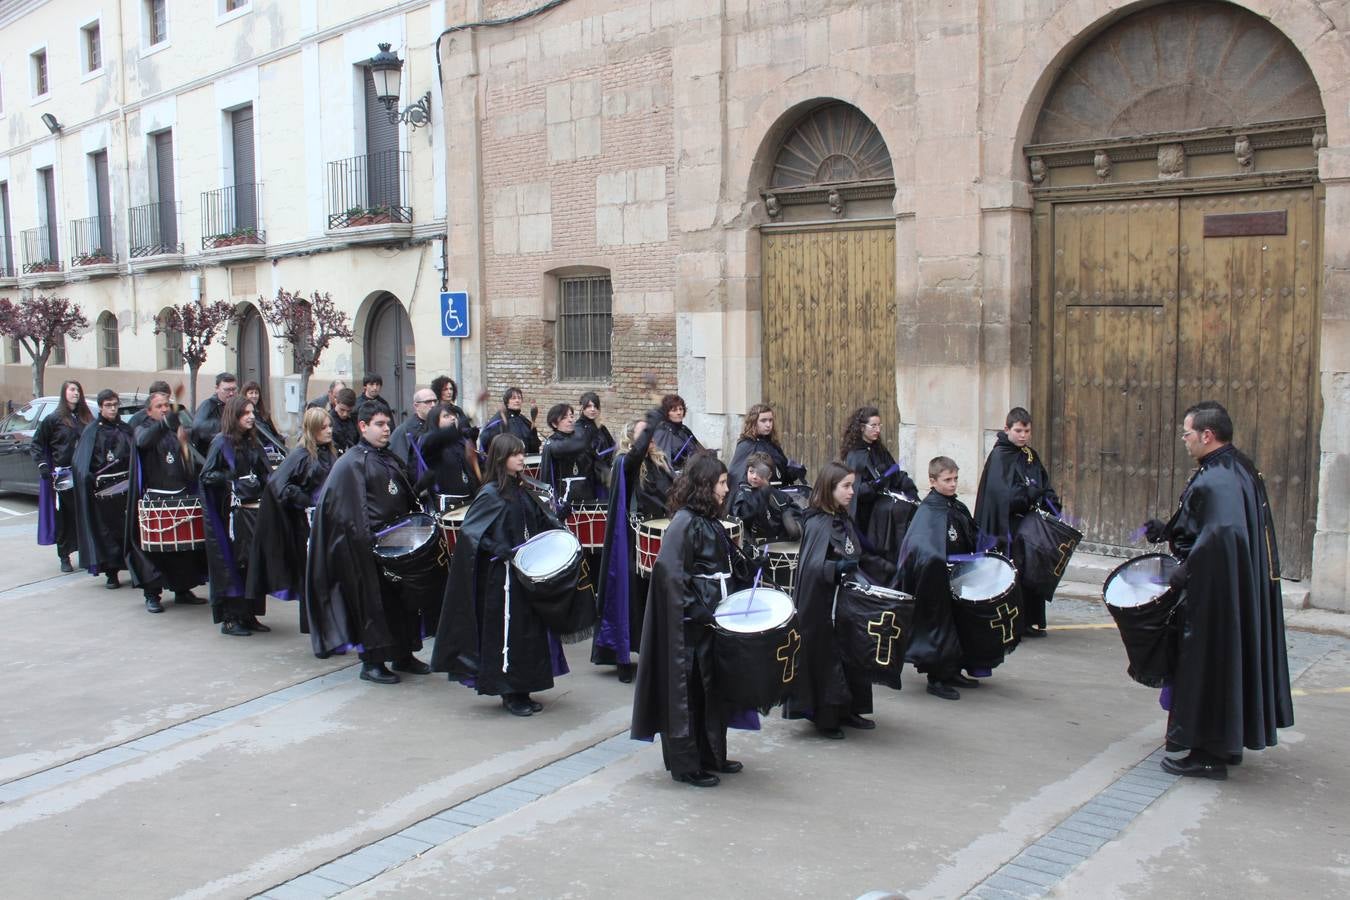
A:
<point x="828" y="279"/>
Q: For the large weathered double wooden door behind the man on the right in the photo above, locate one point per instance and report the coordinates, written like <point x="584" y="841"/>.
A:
<point x="1152" y="316"/>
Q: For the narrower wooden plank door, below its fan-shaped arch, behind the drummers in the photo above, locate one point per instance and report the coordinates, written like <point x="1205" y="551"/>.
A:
<point x="830" y="334"/>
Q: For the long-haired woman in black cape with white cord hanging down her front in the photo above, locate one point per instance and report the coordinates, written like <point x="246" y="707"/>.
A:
<point x="491" y="638"/>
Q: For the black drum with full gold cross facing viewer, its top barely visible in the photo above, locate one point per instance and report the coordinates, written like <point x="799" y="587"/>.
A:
<point x="873" y="629"/>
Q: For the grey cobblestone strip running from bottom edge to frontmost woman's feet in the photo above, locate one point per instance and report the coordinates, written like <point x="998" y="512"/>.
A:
<point x="365" y="864"/>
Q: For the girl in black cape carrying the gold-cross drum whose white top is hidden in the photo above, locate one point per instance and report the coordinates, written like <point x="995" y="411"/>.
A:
<point x="827" y="690"/>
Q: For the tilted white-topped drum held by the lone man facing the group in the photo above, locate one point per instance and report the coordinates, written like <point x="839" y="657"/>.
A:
<point x="1145" y="611"/>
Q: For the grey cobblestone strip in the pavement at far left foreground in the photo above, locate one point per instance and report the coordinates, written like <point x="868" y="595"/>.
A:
<point x="109" y="758"/>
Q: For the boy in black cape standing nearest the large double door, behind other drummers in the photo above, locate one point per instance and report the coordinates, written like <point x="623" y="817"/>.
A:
<point x="1013" y="485"/>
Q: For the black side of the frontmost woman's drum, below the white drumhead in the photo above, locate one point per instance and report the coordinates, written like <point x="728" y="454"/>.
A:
<point x="747" y="669"/>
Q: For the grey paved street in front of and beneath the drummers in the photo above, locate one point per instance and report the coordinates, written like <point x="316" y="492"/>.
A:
<point x="152" y="758"/>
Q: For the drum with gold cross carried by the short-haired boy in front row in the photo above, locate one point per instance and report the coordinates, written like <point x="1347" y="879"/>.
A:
<point x="986" y="611"/>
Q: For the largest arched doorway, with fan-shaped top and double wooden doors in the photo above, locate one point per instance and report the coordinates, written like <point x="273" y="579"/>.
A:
<point x="1178" y="233"/>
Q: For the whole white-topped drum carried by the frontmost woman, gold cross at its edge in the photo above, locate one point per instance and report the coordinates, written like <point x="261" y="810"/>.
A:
<point x="755" y="648"/>
